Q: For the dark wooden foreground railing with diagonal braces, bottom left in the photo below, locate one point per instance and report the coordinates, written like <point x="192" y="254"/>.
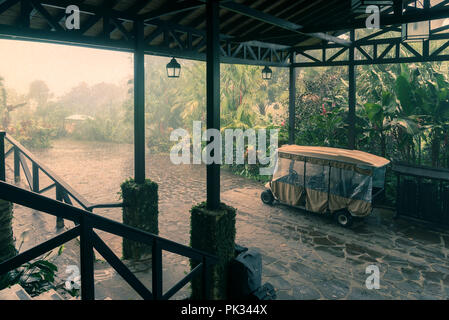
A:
<point x="85" y="224"/>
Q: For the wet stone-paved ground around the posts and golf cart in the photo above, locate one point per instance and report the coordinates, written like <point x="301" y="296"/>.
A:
<point x="305" y="256"/>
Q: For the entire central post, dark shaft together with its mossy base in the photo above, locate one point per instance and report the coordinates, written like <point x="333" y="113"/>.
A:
<point x="213" y="223"/>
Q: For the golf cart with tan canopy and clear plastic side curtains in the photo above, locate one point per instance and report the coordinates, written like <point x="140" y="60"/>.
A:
<point x="327" y="181"/>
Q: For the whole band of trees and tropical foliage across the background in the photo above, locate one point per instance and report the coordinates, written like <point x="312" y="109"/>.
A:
<point x="402" y="110"/>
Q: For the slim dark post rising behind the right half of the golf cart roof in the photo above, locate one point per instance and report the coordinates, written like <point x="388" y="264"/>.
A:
<point x="352" y="94"/>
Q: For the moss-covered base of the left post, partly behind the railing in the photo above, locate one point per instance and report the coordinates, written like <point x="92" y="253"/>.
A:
<point x="140" y="210"/>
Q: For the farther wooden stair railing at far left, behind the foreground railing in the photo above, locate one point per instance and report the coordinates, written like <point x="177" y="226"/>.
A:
<point x="64" y="192"/>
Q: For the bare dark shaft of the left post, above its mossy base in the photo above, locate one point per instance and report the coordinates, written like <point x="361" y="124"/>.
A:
<point x="139" y="103"/>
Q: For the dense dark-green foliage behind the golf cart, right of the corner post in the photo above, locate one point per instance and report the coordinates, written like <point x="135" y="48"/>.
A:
<point x="402" y="111"/>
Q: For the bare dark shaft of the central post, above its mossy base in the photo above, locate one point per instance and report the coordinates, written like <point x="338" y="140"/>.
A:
<point x="213" y="96"/>
